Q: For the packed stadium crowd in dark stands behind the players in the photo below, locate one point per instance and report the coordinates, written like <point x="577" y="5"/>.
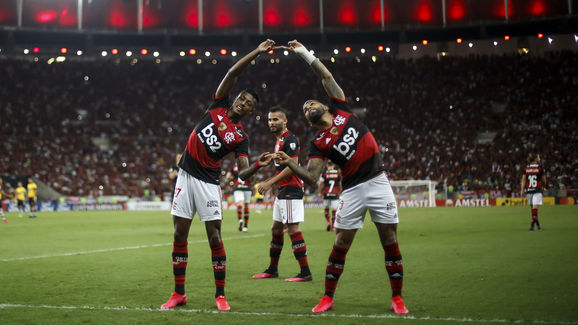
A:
<point x="113" y="127"/>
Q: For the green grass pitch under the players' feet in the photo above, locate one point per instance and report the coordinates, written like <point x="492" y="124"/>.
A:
<point x="461" y="265"/>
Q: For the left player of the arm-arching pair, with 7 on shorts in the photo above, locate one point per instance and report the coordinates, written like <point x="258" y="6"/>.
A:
<point x="217" y="133"/>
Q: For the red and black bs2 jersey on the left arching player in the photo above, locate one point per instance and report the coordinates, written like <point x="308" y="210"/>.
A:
<point x="213" y="138"/>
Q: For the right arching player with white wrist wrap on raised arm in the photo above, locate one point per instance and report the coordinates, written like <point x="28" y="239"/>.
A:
<point x="344" y="139"/>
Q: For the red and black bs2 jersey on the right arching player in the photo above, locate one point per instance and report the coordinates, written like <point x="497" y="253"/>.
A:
<point x="349" y="144"/>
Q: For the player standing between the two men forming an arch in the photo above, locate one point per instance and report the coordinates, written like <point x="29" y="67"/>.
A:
<point x="288" y="209"/>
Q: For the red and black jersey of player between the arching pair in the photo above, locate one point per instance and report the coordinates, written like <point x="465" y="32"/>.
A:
<point x="290" y="188"/>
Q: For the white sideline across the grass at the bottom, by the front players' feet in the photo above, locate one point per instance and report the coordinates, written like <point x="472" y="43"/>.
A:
<point x="374" y="316"/>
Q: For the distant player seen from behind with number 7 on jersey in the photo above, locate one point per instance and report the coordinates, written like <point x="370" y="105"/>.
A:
<point x="329" y="188"/>
